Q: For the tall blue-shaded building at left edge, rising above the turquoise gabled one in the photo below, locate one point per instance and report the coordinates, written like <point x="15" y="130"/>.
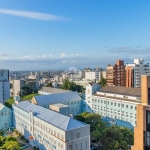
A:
<point x="4" y="85"/>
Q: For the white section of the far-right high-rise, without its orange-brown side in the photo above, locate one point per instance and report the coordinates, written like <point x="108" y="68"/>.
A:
<point x="138" y="69"/>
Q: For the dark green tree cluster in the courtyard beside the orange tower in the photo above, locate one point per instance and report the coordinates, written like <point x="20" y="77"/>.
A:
<point x="107" y="137"/>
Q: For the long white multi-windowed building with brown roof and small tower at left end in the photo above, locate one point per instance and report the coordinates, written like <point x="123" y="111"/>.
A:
<point x="114" y="102"/>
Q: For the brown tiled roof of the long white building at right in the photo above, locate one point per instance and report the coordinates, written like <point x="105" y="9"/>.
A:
<point x="122" y="90"/>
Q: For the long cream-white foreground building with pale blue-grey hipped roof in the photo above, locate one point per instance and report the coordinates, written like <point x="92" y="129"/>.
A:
<point x="49" y="130"/>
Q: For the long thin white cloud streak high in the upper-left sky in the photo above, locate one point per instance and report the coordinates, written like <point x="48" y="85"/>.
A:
<point x="32" y="15"/>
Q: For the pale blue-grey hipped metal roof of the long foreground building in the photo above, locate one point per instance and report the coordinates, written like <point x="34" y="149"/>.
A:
<point x="52" y="117"/>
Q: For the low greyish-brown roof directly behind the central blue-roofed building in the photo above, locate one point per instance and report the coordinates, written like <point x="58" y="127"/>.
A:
<point x="53" y="90"/>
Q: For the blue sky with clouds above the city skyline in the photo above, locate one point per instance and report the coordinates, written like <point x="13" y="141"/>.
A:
<point x="57" y="34"/>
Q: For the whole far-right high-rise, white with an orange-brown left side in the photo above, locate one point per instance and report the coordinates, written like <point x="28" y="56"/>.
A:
<point x="134" y="72"/>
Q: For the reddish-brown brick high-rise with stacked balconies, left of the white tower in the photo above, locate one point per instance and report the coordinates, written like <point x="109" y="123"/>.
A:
<point x="115" y="75"/>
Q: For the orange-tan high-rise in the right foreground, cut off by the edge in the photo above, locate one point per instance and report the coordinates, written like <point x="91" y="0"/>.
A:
<point x="142" y="130"/>
